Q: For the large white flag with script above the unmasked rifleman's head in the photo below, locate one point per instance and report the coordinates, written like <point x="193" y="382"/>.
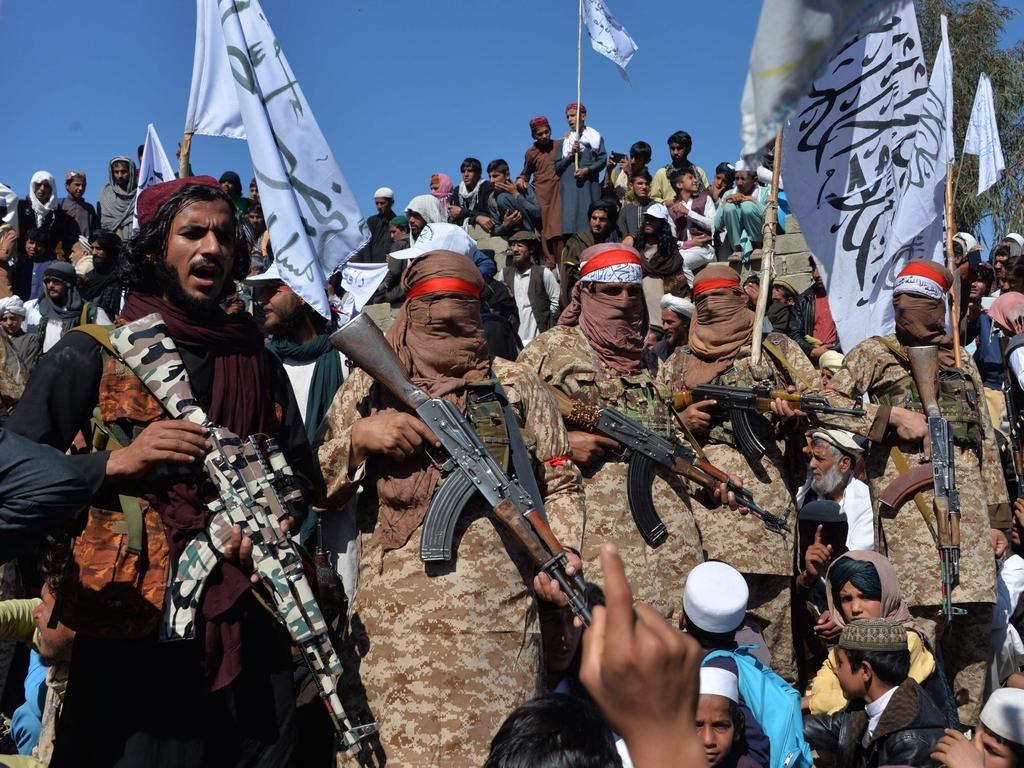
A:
<point x="243" y="89"/>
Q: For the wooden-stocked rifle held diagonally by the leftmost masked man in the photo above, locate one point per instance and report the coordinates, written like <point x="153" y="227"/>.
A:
<point x="471" y="465"/>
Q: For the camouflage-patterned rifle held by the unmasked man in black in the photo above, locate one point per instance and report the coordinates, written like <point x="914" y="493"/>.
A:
<point x="255" y="491"/>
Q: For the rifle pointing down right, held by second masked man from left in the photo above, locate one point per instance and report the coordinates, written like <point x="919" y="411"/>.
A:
<point x="645" y="449"/>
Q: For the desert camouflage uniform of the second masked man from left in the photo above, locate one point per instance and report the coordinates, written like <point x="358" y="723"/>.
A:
<point x="565" y="360"/>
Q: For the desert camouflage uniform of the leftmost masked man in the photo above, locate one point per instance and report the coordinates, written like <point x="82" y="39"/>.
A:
<point x="445" y="651"/>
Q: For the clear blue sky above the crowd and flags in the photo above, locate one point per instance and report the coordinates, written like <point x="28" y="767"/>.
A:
<point x="401" y="90"/>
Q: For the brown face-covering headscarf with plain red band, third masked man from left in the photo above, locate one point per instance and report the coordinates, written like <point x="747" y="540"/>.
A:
<point x="721" y="325"/>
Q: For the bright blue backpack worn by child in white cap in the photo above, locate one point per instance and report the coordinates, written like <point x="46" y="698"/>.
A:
<point x="776" y="705"/>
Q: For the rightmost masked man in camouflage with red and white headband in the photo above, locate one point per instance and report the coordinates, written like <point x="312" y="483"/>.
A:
<point x="895" y="424"/>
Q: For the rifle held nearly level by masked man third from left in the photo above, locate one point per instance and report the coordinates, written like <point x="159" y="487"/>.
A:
<point x="741" y="403"/>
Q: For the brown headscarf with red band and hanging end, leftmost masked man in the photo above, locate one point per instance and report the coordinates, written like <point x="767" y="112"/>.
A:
<point x="440" y="340"/>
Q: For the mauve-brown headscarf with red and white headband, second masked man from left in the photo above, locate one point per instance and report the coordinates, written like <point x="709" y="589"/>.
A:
<point x="615" y="326"/>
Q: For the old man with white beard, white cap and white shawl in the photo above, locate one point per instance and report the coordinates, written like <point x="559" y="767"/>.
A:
<point x="830" y="477"/>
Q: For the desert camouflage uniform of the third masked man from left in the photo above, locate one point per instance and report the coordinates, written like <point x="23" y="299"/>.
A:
<point x="765" y="559"/>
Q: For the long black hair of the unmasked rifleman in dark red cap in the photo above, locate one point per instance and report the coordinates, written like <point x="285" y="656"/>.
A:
<point x="139" y="273"/>
